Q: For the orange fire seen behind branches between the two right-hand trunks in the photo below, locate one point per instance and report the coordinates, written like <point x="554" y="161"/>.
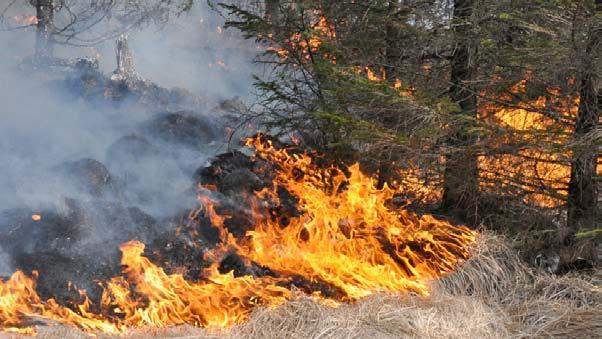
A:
<point x="531" y="168"/>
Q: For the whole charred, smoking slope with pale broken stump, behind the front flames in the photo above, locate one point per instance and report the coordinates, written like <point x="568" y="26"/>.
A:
<point x="138" y="192"/>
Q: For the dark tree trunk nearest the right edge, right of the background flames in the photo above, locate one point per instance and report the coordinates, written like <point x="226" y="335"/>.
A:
<point x="582" y="198"/>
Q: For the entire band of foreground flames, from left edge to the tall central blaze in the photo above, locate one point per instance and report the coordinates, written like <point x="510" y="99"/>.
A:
<point x="347" y="237"/>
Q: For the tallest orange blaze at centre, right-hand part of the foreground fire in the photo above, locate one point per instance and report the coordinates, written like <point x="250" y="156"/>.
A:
<point x="348" y="237"/>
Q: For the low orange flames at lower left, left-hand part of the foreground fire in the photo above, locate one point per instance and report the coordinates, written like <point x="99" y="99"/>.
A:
<point x="145" y="296"/>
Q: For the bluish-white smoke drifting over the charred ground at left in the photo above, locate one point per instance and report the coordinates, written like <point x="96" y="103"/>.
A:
<point x="57" y="148"/>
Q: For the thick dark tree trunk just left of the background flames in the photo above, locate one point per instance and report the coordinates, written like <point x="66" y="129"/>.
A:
<point x="460" y="188"/>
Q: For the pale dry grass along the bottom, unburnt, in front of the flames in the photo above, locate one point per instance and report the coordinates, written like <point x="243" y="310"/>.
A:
<point x="491" y="296"/>
